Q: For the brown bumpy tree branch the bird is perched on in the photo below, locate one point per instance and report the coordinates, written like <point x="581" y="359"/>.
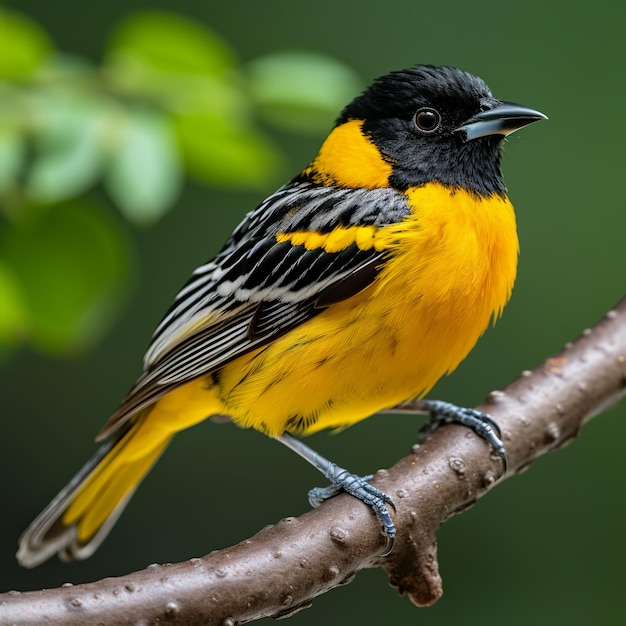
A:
<point x="283" y="567"/>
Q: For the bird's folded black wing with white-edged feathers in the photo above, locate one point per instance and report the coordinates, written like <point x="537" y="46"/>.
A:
<point x="259" y="287"/>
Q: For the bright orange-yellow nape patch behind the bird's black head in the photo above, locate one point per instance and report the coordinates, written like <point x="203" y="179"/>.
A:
<point x="349" y="159"/>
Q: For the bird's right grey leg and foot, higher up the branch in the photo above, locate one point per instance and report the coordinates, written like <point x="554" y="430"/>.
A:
<point x="447" y="413"/>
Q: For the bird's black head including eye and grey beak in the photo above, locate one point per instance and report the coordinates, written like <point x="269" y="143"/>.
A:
<point x="438" y="124"/>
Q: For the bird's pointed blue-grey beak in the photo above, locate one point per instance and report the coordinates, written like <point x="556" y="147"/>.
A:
<point x="501" y="118"/>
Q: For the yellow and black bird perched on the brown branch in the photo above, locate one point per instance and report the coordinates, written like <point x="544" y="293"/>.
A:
<point x="353" y="288"/>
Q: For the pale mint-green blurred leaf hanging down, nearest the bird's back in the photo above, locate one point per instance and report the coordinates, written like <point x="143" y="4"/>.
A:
<point x="145" y="172"/>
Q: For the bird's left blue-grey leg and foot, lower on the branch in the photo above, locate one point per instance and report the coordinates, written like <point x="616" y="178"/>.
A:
<point x="343" y="480"/>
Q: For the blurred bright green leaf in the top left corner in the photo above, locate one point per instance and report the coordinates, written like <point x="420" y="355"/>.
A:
<point x="24" y="46"/>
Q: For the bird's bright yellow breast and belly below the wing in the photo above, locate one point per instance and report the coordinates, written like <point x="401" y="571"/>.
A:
<point x="451" y="269"/>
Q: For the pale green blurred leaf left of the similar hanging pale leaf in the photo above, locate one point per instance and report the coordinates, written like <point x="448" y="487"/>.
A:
<point x="69" y="147"/>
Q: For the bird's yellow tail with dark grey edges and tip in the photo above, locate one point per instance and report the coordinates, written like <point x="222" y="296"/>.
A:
<point x="76" y="522"/>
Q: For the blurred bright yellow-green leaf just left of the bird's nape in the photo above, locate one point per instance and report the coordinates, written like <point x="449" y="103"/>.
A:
<point x="225" y="154"/>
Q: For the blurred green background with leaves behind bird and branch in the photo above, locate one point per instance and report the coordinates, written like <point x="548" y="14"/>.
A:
<point x="545" y="547"/>
